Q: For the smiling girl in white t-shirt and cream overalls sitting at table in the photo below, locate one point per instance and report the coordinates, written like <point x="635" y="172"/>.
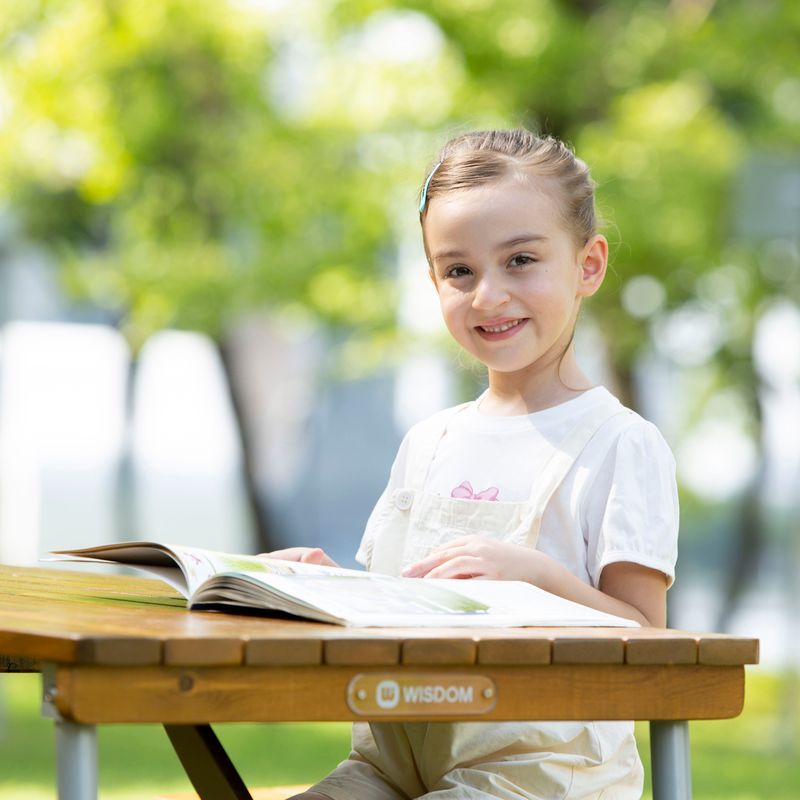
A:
<point x="544" y="477"/>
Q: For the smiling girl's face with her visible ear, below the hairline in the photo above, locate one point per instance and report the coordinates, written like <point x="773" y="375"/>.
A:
<point x="509" y="275"/>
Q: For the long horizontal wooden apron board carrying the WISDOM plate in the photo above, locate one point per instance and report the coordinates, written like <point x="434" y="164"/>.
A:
<point x="259" y="694"/>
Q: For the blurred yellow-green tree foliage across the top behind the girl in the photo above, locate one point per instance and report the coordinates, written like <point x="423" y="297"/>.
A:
<point x="189" y="161"/>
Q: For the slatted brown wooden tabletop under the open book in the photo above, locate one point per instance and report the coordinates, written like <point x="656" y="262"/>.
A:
<point x="75" y="617"/>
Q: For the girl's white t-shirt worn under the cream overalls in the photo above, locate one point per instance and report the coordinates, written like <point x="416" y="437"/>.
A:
<point x="618" y="502"/>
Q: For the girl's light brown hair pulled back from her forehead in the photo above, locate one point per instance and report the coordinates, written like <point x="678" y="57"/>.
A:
<point x="481" y="157"/>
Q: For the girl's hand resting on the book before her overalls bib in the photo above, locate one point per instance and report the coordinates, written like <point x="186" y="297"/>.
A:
<point x="480" y="557"/>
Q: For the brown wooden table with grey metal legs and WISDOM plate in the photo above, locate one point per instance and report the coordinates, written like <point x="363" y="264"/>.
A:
<point x="122" y="649"/>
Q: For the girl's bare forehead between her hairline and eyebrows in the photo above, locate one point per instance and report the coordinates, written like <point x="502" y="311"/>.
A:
<point x="512" y="205"/>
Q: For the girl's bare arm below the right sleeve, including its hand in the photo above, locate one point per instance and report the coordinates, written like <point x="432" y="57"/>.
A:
<point x="626" y="589"/>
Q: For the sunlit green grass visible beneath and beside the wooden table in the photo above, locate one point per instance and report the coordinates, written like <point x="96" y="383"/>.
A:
<point x="751" y="757"/>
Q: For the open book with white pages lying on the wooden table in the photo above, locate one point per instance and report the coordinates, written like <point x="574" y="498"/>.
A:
<point x="221" y="581"/>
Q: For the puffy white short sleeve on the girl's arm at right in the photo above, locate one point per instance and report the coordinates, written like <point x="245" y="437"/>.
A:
<point x="632" y="505"/>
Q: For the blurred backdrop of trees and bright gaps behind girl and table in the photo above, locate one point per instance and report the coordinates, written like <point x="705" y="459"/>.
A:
<point x="215" y="318"/>
